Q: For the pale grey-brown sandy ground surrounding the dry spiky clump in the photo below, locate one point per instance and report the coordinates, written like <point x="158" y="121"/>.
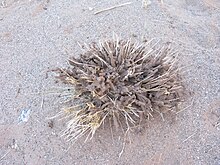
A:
<point x="35" y="37"/>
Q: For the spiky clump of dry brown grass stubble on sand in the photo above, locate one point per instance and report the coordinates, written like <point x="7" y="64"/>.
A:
<point x="122" y="81"/>
